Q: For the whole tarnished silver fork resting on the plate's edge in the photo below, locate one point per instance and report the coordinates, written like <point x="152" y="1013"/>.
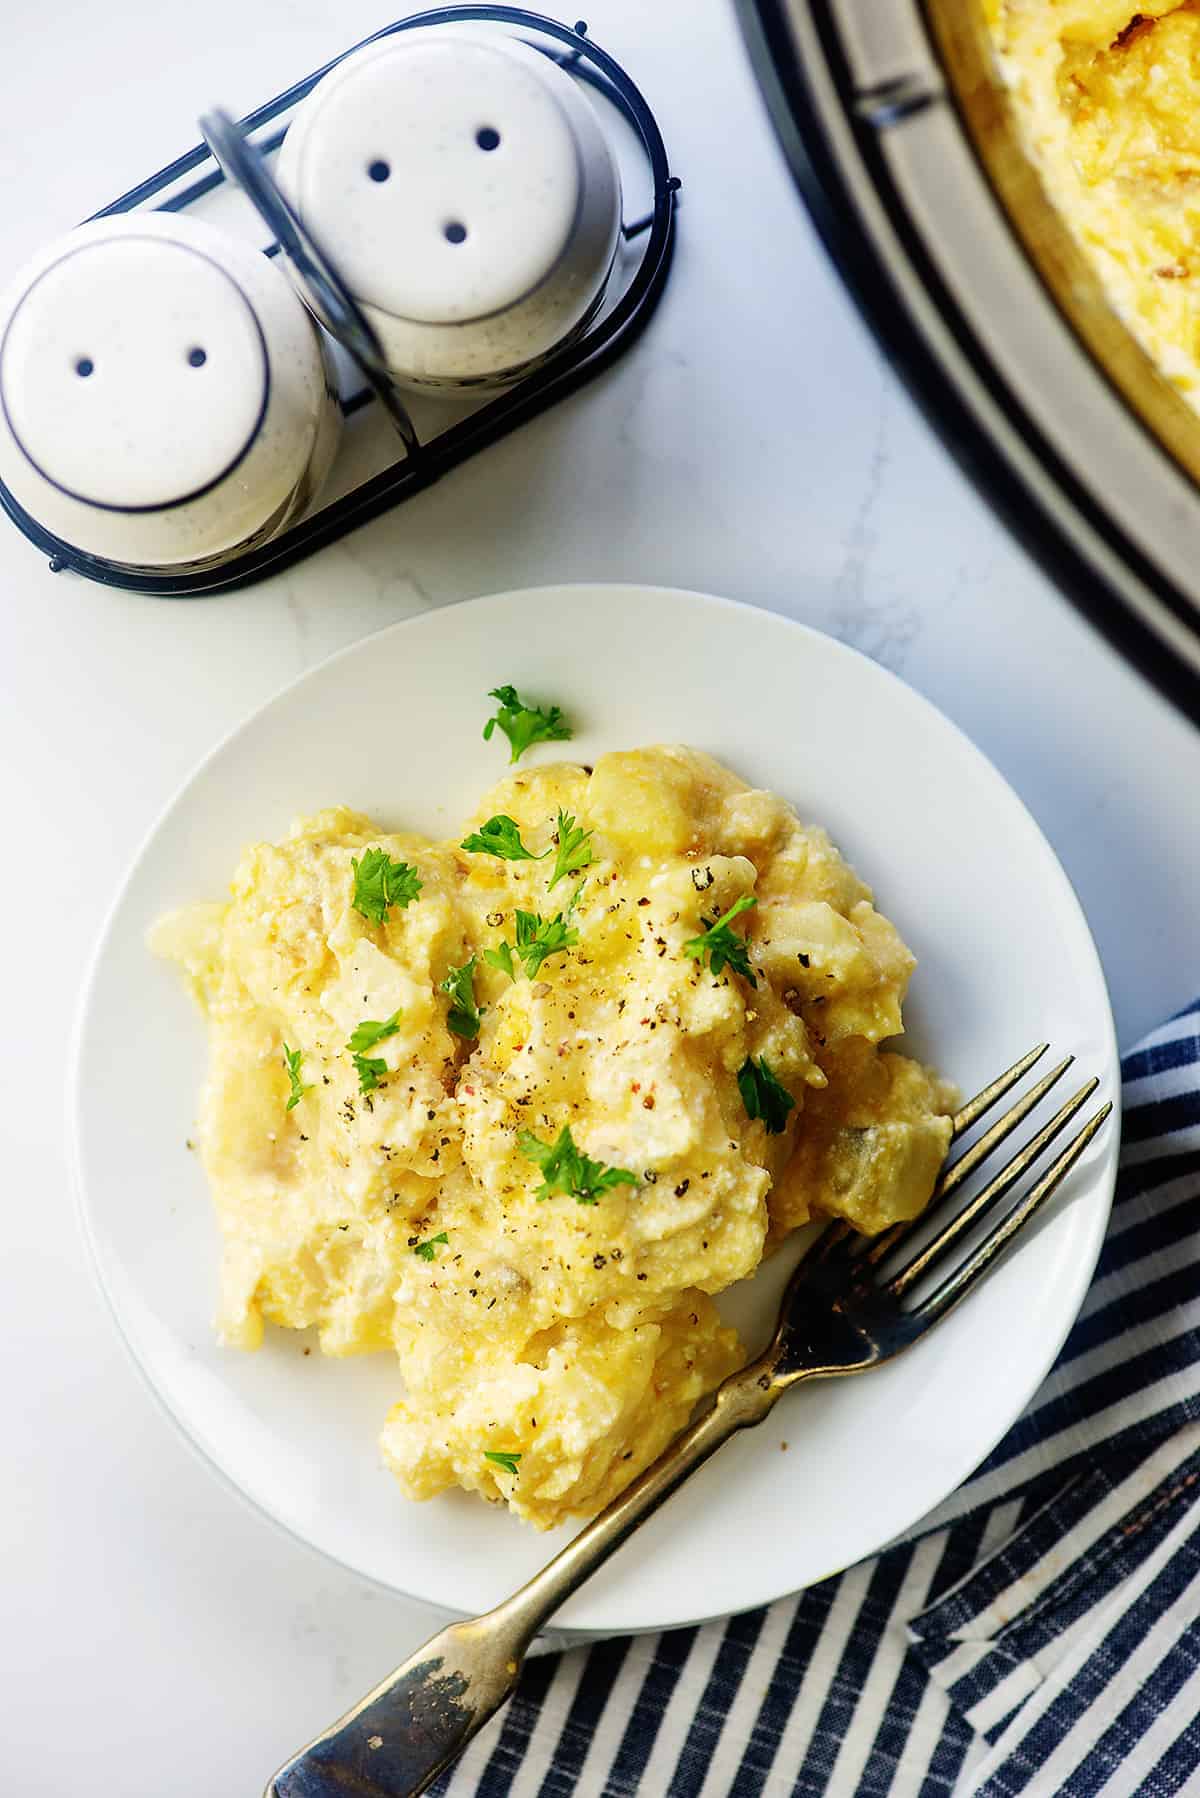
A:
<point x="845" y="1312"/>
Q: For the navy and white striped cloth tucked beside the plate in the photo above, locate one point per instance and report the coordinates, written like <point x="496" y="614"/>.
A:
<point x="1039" y="1633"/>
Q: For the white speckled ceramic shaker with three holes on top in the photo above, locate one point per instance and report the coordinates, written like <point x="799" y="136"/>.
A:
<point x="469" y="197"/>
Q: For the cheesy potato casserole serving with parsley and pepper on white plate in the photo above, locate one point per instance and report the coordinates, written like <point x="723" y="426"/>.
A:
<point x="519" y="1105"/>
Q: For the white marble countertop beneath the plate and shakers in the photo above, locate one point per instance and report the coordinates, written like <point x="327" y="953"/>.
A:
<point x="161" y="1637"/>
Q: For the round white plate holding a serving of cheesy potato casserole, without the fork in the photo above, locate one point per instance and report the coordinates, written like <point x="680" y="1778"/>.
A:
<point x="465" y="1362"/>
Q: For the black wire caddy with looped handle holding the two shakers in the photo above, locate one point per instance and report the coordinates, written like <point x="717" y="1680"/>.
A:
<point x="415" y="450"/>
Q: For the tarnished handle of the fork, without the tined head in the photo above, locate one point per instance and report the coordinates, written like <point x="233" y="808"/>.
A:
<point x="420" y="1720"/>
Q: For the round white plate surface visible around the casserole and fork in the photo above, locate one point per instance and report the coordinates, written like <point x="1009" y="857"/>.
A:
<point x="393" y="727"/>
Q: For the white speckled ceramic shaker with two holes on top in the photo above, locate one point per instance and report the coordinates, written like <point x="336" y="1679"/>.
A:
<point x="165" y="398"/>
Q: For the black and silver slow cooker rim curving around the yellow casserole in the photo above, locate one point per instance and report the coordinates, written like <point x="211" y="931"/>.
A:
<point x="904" y="143"/>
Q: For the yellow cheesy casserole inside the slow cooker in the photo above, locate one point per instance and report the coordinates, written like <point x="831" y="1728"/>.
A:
<point x="1107" y="102"/>
